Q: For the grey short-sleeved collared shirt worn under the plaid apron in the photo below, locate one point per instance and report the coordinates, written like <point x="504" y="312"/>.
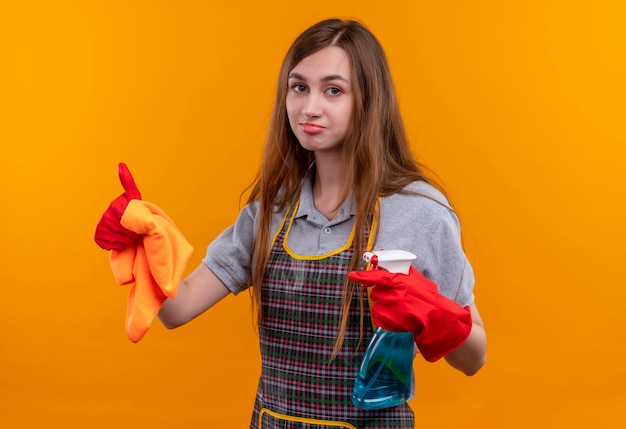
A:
<point x="422" y="224"/>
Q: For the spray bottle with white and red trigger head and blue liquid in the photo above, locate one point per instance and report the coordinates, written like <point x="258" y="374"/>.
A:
<point x="385" y="378"/>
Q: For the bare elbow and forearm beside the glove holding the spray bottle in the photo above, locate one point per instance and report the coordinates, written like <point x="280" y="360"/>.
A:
<point x="471" y="356"/>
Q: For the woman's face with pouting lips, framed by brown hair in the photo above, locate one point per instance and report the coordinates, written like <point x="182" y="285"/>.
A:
<point x="320" y="99"/>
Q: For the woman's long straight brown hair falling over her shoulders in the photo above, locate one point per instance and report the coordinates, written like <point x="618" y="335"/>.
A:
<point x="378" y="158"/>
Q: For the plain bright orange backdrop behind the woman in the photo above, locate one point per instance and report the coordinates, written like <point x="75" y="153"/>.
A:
<point x="518" y="106"/>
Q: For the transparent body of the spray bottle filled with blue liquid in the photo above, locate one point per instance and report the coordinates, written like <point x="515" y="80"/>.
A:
<point x="386" y="374"/>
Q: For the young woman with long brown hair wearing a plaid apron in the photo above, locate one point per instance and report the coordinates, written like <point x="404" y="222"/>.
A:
<point x="337" y="178"/>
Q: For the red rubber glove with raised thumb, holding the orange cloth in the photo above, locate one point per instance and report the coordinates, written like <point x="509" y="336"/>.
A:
<point x="110" y="234"/>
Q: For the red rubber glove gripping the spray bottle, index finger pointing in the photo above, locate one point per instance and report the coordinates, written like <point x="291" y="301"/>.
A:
<point x="412" y="303"/>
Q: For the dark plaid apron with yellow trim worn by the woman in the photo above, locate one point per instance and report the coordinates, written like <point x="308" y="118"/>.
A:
<point x="299" y="386"/>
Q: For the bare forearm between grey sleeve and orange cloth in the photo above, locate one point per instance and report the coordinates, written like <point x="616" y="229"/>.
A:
<point x="196" y="293"/>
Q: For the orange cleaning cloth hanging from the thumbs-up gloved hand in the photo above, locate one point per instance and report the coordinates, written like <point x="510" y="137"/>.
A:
<point x="153" y="265"/>
